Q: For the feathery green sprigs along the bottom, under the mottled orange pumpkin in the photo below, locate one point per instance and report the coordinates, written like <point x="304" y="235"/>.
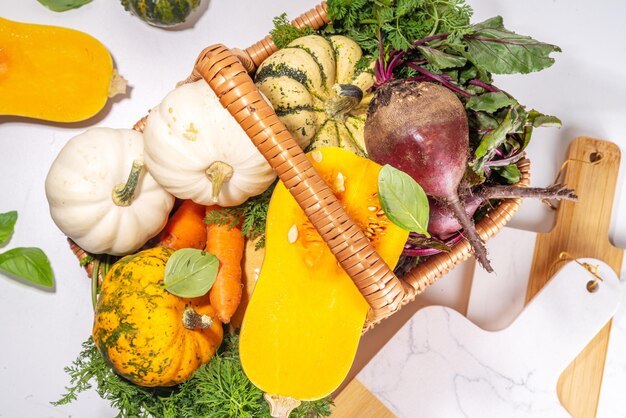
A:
<point x="218" y="389"/>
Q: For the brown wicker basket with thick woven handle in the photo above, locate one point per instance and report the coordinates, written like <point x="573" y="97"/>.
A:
<point x="227" y="73"/>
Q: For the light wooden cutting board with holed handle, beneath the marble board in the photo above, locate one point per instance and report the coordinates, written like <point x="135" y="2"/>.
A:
<point x="582" y="230"/>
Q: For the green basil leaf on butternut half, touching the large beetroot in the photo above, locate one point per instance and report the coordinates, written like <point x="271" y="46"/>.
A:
<point x="403" y="200"/>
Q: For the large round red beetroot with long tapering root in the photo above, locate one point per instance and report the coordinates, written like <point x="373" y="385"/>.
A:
<point x="422" y="129"/>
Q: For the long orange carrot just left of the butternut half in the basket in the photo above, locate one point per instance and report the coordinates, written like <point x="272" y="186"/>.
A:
<point x="227" y="244"/>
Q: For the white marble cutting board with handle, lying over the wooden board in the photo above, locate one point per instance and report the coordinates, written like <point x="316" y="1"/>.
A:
<point x="461" y="370"/>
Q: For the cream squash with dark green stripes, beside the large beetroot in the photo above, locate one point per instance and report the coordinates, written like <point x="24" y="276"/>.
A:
<point x="318" y="88"/>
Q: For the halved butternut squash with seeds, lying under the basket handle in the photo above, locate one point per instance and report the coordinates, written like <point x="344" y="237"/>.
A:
<point x="302" y="326"/>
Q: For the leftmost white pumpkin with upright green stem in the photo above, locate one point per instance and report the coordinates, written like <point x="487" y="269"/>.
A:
<point x="101" y="197"/>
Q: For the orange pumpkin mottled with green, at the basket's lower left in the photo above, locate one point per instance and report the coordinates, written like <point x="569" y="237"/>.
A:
<point x="146" y="334"/>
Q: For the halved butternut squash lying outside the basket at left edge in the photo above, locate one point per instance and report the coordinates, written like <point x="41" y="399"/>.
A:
<point x="54" y="73"/>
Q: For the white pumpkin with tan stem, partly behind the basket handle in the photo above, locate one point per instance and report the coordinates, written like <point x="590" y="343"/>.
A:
<point x="196" y="150"/>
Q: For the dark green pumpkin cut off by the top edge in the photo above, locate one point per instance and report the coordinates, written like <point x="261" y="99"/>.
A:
<point x="161" y="13"/>
